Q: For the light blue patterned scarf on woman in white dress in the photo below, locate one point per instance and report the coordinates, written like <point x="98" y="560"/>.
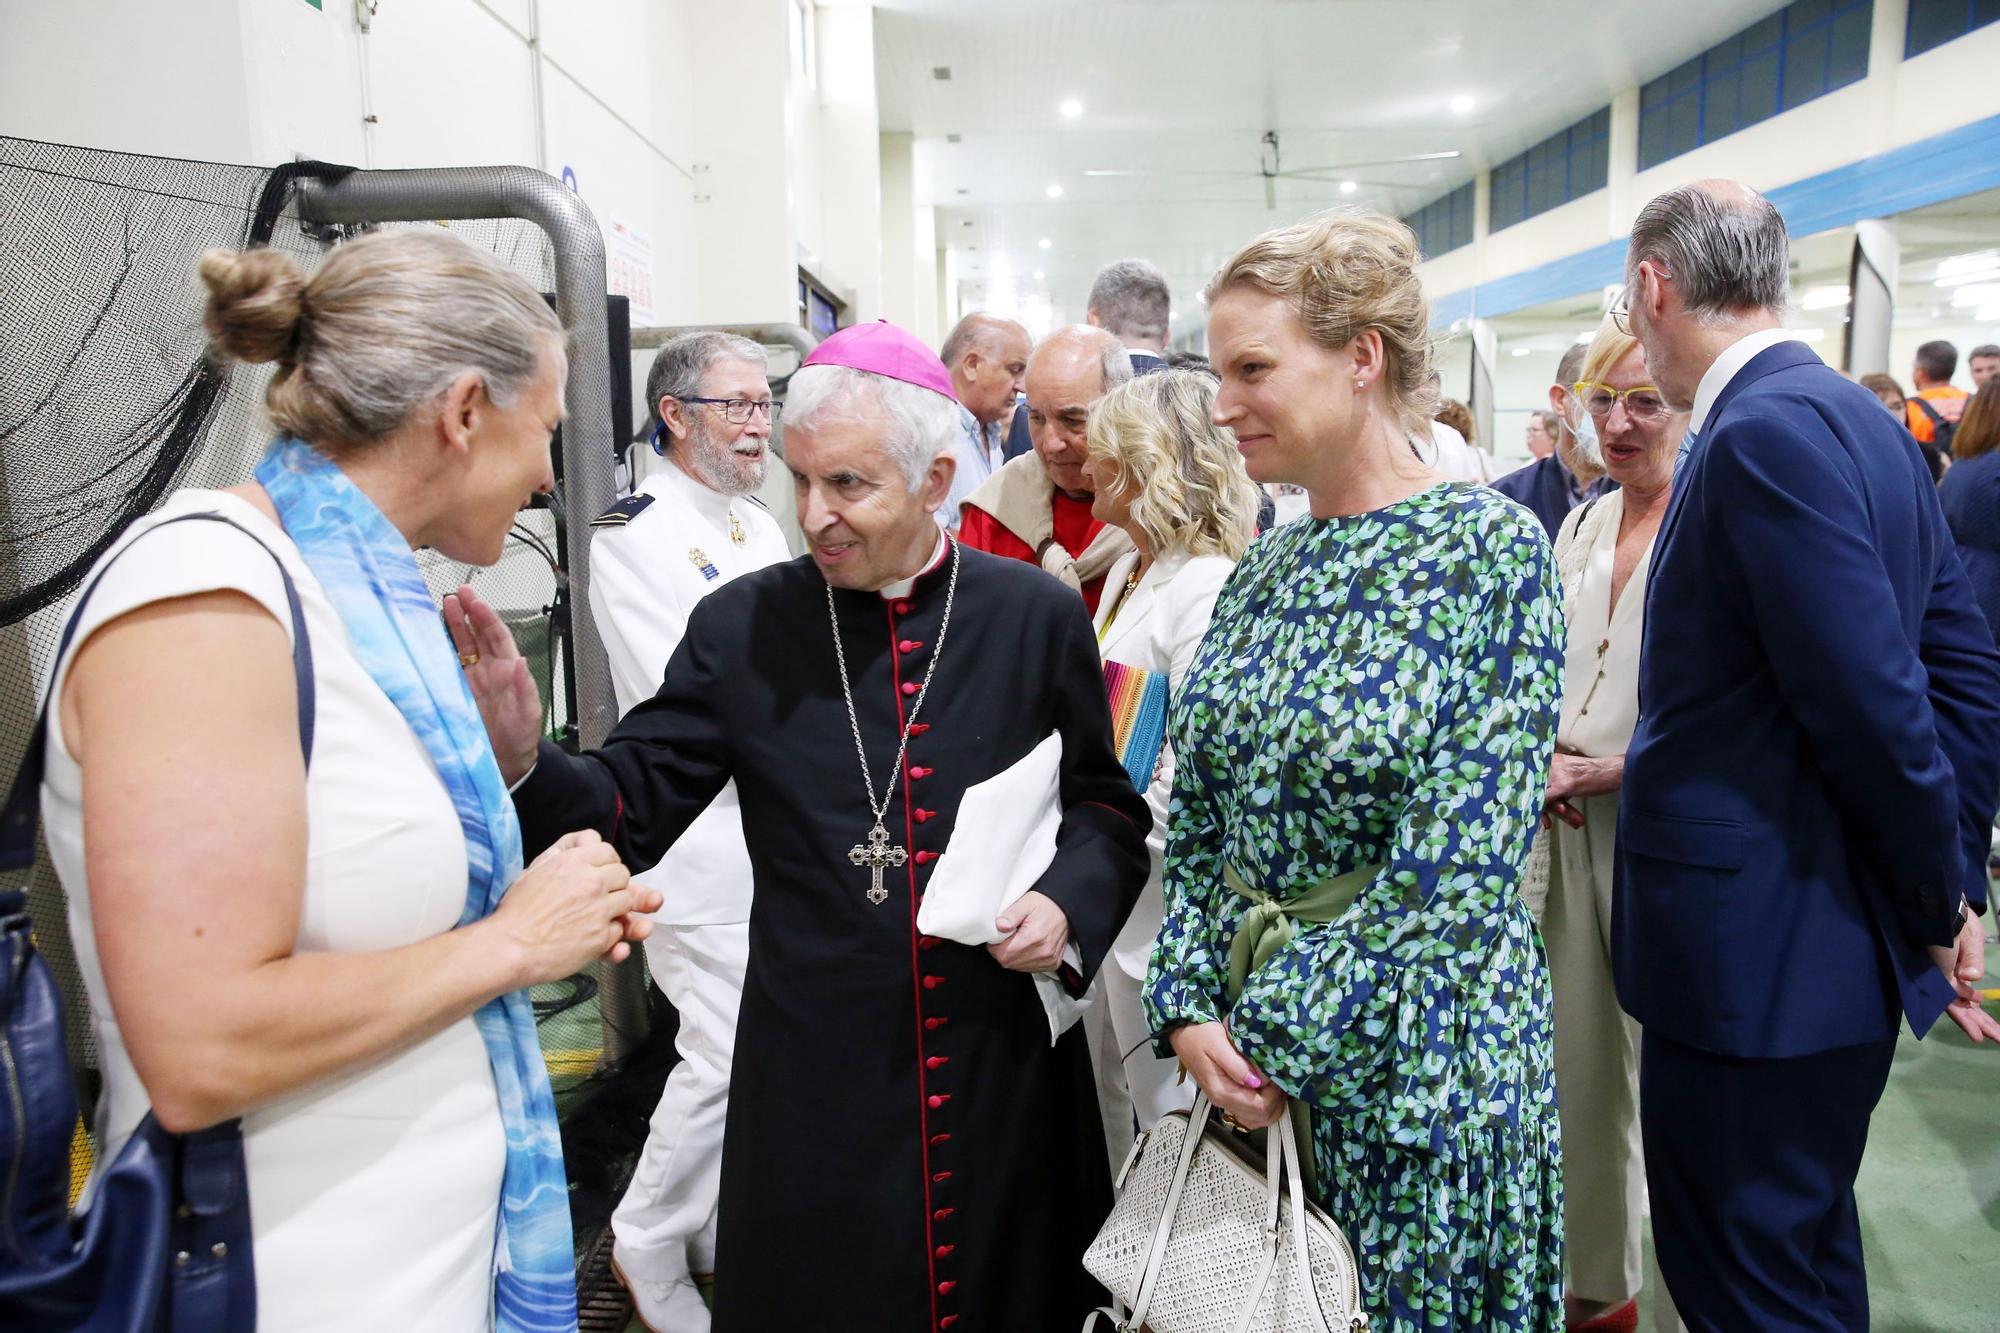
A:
<point x="373" y="581"/>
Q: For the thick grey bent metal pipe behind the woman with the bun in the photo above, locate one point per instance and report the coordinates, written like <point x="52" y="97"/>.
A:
<point x="431" y="195"/>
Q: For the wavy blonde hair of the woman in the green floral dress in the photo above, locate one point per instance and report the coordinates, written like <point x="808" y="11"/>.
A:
<point x="1345" y="273"/>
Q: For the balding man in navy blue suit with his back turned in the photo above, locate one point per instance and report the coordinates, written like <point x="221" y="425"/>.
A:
<point x="1811" y="788"/>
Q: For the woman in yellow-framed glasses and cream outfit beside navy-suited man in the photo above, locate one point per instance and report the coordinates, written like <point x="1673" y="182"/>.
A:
<point x="1605" y="553"/>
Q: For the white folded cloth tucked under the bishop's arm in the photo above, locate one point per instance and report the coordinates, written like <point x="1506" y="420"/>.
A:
<point x="1003" y="844"/>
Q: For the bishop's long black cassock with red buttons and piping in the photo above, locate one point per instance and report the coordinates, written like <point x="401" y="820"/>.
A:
<point x="905" y="1148"/>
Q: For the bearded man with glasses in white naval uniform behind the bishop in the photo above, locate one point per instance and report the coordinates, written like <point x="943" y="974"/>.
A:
<point x="691" y="527"/>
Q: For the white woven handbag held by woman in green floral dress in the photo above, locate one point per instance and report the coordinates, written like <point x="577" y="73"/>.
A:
<point x="1207" y="1240"/>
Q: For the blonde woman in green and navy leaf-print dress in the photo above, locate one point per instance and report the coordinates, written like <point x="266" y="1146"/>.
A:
<point x="1365" y="742"/>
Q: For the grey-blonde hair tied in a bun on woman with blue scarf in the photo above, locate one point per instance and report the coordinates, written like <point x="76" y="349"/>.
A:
<point x="385" y="327"/>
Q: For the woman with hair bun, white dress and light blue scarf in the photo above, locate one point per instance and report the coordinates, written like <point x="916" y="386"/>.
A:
<point x="325" y="950"/>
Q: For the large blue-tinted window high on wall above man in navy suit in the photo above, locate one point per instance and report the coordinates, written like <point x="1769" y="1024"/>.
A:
<point x="1801" y="53"/>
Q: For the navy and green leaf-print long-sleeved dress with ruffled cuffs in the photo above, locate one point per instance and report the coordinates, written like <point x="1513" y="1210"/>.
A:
<point x="1383" y="692"/>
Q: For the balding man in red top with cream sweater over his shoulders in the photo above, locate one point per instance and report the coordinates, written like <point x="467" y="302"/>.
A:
<point x="1037" y="507"/>
